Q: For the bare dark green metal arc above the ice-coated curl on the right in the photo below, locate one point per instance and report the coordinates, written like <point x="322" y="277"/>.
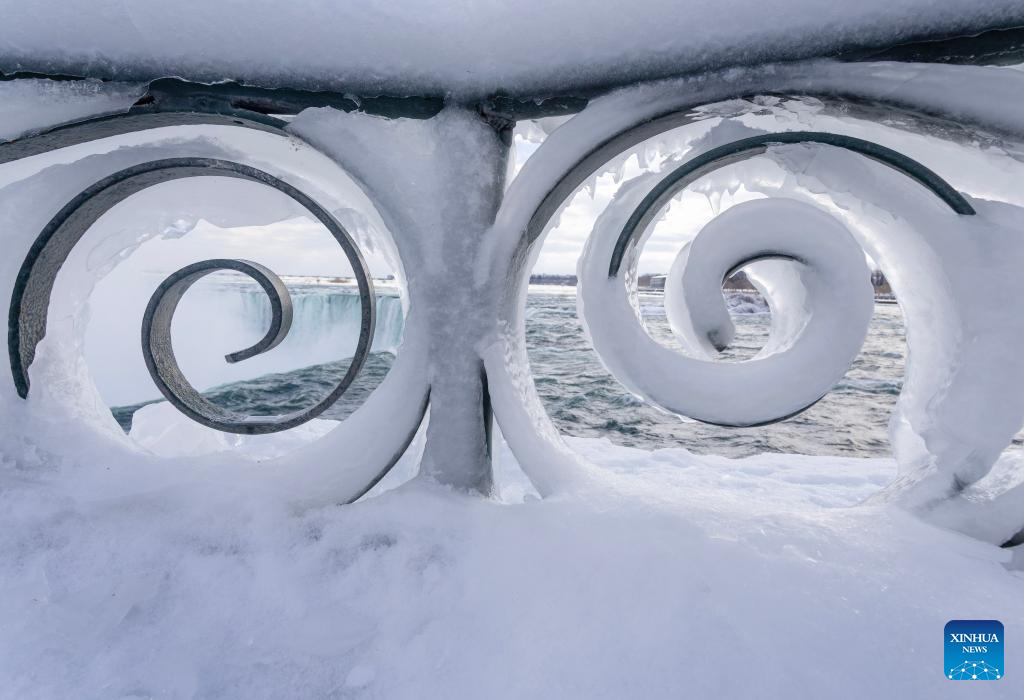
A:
<point x="726" y="155"/>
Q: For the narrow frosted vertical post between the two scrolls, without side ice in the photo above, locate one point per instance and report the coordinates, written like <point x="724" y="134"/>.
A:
<point x="458" y="312"/>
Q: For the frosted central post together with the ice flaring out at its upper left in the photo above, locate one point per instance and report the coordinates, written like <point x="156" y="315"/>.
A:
<point x="438" y="185"/>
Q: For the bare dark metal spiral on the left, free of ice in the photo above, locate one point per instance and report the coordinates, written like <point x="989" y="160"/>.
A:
<point x="30" y="302"/>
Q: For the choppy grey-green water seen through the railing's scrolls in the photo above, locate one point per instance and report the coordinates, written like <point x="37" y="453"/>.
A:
<point x="585" y="401"/>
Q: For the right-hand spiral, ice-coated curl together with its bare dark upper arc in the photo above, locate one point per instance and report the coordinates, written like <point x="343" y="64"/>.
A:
<point x="807" y="283"/>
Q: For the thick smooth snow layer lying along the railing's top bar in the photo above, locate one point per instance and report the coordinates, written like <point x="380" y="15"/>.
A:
<point x="467" y="48"/>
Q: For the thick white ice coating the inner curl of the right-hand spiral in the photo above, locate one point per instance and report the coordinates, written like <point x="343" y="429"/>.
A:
<point x="822" y="314"/>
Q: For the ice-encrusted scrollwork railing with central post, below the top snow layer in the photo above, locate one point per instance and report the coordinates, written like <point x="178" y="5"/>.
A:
<point x="434" y="184"/>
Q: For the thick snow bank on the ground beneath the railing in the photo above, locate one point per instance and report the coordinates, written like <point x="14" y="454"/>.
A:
<point x="671" y="577"/>
